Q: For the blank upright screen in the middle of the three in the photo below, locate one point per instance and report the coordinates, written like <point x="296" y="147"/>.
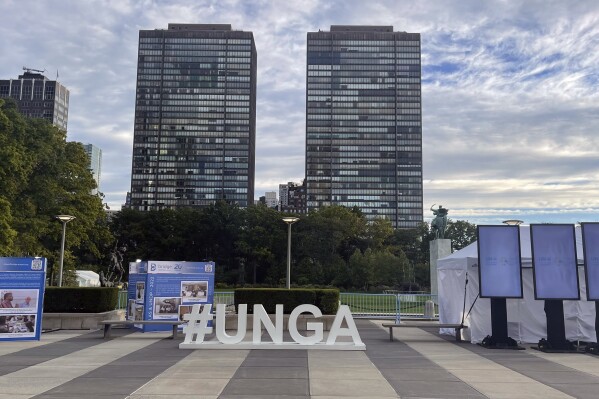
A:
<point x="554" y="261"/>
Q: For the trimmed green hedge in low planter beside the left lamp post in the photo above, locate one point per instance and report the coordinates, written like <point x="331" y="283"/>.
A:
<point x="80" y="300"/>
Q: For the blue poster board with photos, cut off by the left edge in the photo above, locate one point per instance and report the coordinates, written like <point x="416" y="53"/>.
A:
<point x="22" y="282"/>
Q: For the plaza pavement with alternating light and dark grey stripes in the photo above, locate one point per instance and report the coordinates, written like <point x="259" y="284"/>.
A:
<point x="418" y="364"/>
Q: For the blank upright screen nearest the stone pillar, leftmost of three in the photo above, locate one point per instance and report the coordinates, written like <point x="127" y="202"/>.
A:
<point x="500" y="271"/>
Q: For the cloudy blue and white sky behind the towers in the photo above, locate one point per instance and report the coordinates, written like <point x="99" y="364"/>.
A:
<point x="510" y="89"/>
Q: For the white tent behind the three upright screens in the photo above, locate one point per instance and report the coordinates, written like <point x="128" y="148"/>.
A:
<point x="526" y="316"/>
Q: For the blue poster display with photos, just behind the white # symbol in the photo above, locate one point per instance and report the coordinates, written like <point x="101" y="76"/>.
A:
<point x="169" y="289"/>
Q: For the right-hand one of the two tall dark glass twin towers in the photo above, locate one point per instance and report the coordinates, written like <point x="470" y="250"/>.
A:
<point x="364" y="122"/>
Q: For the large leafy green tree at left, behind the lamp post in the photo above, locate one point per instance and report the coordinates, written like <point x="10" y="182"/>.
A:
<point x="41" y="176"/>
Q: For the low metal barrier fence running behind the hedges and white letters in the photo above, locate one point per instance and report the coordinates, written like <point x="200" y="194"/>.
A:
<point x="366" y="306"/>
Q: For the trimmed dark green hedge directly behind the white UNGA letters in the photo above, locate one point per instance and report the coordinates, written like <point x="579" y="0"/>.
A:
<point x="327" y="300"/>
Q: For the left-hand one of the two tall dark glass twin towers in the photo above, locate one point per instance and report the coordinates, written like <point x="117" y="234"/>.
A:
<point x="195" y="117"/>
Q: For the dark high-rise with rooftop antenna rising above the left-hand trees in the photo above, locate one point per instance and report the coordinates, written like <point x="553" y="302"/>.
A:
<point x="38" y="97"/>
